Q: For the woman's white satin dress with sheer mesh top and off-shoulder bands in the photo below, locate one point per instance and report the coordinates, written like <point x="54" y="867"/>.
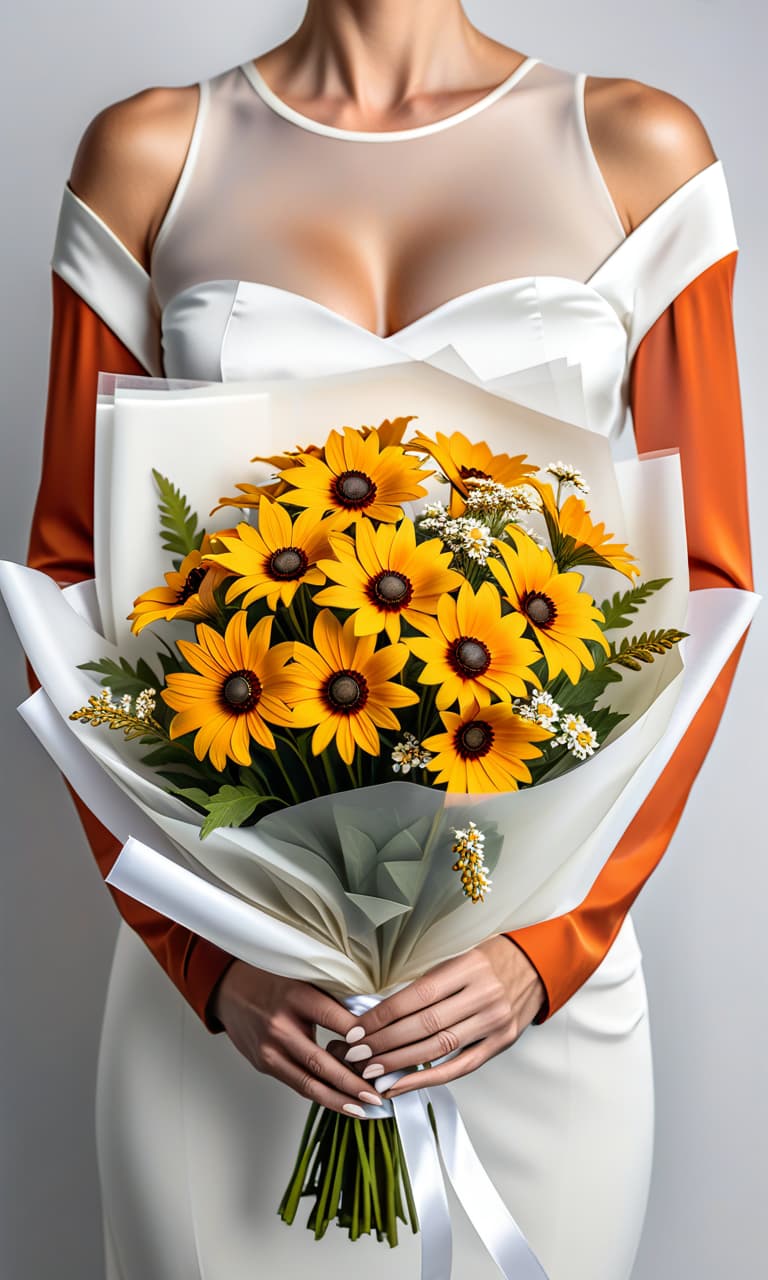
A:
<point x="194" y="1145"/>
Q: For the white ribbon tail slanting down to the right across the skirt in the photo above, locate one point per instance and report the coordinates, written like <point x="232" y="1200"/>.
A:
<point x="479" y="1197"/>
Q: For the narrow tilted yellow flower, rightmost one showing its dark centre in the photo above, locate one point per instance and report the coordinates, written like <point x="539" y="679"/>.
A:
<point x="560" y="614"/>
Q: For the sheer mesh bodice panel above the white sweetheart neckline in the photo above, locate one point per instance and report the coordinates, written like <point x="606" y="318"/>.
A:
<point x="385" y="227"/>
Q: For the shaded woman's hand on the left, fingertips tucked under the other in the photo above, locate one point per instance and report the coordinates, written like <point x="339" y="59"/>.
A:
<point x="272" y="1022"/>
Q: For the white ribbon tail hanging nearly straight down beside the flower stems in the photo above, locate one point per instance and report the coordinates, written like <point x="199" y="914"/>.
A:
<point x="428" y="1186"/>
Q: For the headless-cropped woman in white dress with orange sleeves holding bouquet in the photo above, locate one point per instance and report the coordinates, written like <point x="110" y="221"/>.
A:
<point x="386" y="181"/>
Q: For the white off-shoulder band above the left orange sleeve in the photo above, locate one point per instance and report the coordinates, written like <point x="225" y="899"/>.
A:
<point x="92" y="259"/>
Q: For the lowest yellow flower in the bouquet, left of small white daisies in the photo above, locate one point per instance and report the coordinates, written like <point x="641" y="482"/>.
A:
<point x="484" y="748"/>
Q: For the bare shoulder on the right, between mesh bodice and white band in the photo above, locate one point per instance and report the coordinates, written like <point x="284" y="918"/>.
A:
<point x="647" y="141"/>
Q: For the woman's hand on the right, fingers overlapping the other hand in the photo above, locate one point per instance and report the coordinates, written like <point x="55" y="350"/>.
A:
<point x="478" y="1004"/>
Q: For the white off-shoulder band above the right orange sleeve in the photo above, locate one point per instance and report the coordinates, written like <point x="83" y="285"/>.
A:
<point x="685" y="235"/>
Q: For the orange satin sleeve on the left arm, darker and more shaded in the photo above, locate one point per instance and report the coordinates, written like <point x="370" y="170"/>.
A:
<point x="62" y="545"/>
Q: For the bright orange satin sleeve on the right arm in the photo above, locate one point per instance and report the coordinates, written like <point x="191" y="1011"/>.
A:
<point x="684" y="394"/>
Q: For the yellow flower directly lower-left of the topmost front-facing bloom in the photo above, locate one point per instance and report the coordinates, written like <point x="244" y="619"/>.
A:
<point x="275" y="560"/>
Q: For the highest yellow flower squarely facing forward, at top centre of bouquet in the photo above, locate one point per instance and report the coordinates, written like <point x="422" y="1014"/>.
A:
<point x="358" y="479"/>
